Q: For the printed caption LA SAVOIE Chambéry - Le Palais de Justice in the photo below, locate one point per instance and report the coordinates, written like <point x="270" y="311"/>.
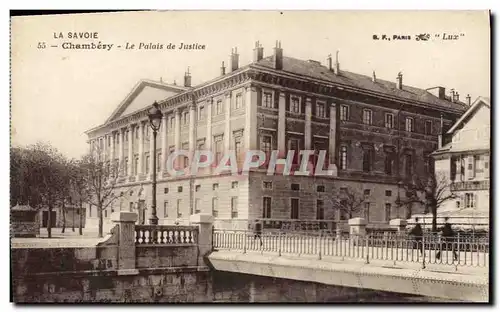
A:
<point x="90" y="41"/>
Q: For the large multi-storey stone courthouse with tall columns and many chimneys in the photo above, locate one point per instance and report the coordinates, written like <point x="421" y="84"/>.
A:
<point x="375" y="132"/>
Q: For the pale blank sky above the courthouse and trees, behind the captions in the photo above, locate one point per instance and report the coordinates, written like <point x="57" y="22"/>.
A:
<point x="58" y="94"/>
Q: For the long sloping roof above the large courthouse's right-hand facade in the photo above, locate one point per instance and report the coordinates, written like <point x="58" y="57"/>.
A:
<point x="316" y="70"/>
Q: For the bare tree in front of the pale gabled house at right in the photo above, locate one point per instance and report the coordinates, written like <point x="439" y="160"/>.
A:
<point x="430" y="191"/>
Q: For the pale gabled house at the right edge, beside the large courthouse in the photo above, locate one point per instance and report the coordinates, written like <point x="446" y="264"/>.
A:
<point x="464" y="163"/>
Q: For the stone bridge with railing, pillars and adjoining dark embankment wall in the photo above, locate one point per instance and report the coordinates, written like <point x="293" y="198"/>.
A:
<point x="163" y="258"/>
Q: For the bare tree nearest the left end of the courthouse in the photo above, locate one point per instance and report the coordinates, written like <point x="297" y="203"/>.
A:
<point x="101" y="178"/>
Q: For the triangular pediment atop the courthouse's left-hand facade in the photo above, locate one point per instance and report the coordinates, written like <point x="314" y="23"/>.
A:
<point x="143" y="95"/>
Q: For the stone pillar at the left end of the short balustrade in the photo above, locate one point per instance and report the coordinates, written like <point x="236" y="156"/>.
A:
<point x="125" y="221"/>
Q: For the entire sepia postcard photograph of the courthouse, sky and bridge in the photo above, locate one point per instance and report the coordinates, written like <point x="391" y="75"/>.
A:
<point x="250" y="157"/>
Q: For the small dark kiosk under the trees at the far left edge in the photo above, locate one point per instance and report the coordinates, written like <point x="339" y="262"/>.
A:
<point x="24" y="221"/>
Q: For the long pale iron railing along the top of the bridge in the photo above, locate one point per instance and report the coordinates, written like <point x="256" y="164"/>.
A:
<point x="391" y="247"/>
